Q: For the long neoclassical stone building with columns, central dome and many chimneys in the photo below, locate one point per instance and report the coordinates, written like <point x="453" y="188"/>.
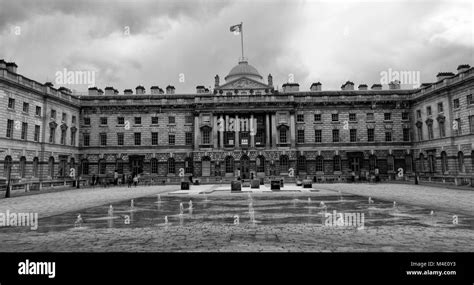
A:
<point x="243" y="126"/>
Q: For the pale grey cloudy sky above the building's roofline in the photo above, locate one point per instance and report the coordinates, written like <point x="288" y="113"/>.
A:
<point x="129" y="43"/>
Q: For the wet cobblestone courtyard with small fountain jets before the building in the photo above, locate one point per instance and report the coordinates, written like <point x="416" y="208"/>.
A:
<point x="289" y="221"/>
